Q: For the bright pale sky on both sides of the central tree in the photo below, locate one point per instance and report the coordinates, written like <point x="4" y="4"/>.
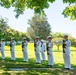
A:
<point x="55" y="19"/>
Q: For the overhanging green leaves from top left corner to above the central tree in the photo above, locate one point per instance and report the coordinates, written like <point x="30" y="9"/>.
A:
<point x="21" y="5"/>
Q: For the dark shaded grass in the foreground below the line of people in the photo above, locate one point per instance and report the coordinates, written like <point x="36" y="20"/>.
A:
<point x="58" y="68"/>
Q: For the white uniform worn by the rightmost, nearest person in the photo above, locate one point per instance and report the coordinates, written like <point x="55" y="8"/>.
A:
<point x="66" y="54"/>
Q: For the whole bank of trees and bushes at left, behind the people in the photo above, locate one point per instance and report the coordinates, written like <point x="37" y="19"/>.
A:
<point x="7" y="33"/>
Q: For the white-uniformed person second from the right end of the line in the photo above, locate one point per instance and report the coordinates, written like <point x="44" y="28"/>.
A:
<point x="50" y="51"/>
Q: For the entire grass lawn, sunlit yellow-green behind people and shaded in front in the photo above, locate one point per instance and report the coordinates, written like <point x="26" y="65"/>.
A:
<point x="58" y="68"/>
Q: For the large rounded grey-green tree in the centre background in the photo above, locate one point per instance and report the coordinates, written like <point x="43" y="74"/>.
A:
<point x="38" y="26"/>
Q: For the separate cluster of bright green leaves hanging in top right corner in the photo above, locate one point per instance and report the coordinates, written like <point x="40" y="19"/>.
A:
<point x="70" y="11"/>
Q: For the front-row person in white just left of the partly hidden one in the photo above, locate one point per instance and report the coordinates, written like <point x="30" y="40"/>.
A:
<point x="37" y="50"/>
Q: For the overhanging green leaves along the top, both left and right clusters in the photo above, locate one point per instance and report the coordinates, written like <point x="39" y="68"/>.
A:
<point x="38" y="6"/>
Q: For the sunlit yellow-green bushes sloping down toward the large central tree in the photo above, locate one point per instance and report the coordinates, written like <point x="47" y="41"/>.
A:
<point x="14" y="33"/>
